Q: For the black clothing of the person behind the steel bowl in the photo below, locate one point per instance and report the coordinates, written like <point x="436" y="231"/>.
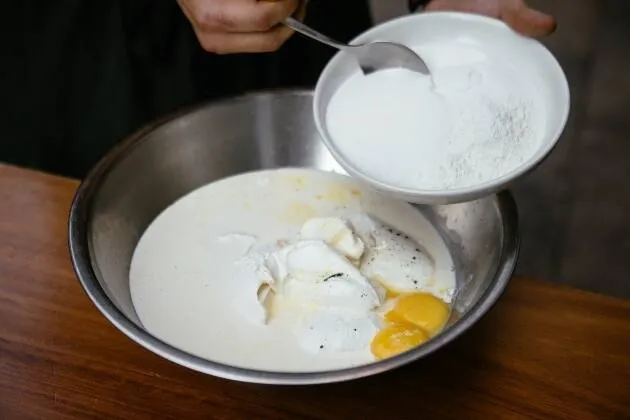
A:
<point x="81" y="75"/>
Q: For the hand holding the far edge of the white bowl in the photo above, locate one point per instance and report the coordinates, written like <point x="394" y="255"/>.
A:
<point x="515" y="13"/>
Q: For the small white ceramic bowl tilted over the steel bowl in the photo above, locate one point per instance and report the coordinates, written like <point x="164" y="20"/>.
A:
<point x="527" y="54"/>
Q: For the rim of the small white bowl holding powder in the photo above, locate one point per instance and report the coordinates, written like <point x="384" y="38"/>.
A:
<point x="454" y="195"/>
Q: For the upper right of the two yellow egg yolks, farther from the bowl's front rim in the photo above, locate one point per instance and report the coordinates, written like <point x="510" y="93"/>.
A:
<point x="422" y="310"/>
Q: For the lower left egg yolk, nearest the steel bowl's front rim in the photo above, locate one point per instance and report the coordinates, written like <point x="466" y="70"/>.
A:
<point x="397" y="339"/>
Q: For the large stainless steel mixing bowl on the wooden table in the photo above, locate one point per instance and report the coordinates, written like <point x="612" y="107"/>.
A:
<point x="148" y="171"/>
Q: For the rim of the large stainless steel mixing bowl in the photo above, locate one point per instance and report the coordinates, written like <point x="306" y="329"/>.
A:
<point x="81" y="258"/>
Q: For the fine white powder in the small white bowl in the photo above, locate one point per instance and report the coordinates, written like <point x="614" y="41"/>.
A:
<point x="474" y="121"/>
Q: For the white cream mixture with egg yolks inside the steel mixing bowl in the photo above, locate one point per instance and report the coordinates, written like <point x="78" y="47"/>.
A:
<point x="289" y="270"/>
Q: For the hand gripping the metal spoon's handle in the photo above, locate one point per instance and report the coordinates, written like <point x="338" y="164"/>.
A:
<point x="240" y="26"/>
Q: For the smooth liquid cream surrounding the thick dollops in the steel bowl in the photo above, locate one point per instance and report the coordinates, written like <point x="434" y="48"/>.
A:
<point x="189" y="289"/>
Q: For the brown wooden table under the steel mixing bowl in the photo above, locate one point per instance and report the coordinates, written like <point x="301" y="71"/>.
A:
<point x="544" y="351"/>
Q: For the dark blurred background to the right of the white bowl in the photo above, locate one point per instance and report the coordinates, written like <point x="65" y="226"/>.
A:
<point x="575" y="209"/>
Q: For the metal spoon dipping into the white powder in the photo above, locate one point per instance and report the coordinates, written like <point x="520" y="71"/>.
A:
<point x="372" y="56"/>
